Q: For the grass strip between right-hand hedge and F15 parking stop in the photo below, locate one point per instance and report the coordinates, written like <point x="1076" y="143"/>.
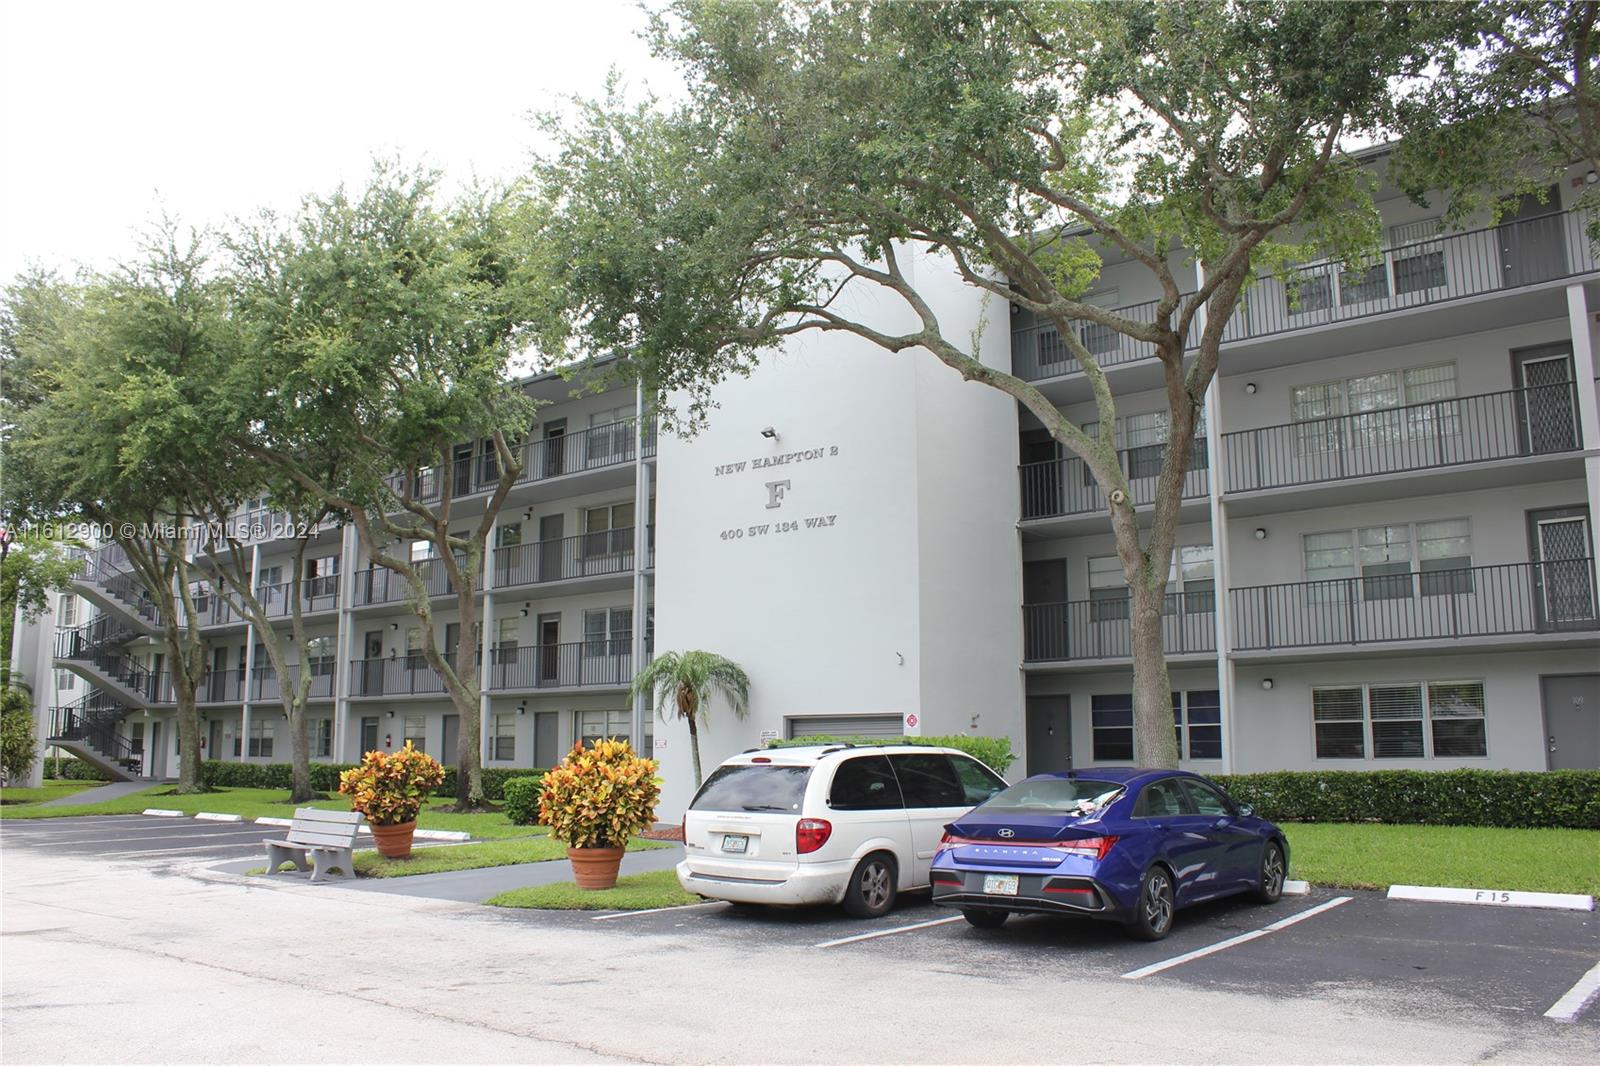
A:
<point x="1454" y="857"/>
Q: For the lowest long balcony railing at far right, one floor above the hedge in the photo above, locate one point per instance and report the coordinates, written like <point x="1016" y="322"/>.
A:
<point x="1556" y="596"/>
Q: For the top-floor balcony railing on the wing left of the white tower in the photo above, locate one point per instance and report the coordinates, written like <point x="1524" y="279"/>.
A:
<point x="542" y="460"/>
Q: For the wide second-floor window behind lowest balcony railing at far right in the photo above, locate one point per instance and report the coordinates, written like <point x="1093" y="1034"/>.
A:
<point x="1383" y="555"/>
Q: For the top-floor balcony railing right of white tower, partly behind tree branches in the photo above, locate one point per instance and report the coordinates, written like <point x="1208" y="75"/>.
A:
<point x="1410" y="275"/>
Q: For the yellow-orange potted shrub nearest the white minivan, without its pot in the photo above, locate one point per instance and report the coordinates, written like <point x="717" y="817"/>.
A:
<point x="599" y="796"/>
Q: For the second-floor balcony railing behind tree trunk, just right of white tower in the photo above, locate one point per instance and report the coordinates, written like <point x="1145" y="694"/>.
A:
<point x="1100" y="630"/>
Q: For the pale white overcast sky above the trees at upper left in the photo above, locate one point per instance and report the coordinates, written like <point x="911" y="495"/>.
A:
<point x="113" y="111"/>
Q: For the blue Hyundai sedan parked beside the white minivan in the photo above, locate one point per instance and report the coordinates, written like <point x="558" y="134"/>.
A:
<point x="1130" y="846"/>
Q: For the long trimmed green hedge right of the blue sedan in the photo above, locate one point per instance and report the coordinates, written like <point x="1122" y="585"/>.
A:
<point x="1518" y="799"/>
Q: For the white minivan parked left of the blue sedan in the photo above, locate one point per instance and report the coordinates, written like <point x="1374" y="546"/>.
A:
<point x="826" y="825"/>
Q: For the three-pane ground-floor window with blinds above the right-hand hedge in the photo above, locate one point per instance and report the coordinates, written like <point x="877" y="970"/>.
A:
<point x="1401" y="721"/>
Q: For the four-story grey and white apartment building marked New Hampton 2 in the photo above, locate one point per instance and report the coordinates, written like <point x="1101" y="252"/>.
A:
<point x="1386" y="550"/>
